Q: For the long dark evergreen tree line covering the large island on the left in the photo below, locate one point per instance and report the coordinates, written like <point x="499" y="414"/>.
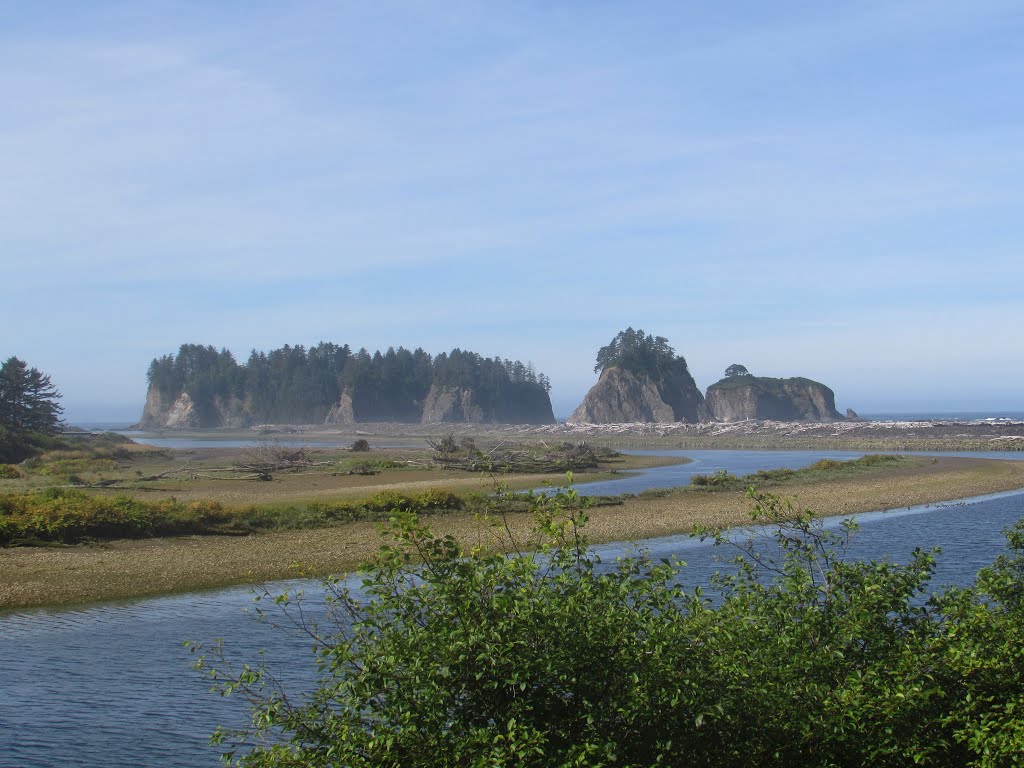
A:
<point x="295" y="385"/>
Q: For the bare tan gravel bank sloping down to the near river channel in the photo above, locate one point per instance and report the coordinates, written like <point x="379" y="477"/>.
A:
<point x="38" y="577"/>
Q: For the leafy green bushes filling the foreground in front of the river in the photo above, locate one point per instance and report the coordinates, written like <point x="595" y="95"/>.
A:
<point x="457" y="657"/>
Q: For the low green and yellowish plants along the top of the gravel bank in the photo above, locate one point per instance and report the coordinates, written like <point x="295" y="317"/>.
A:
<point x="68" y="516"/>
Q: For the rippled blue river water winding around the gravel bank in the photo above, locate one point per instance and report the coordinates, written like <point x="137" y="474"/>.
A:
<point x="112" y="686"/>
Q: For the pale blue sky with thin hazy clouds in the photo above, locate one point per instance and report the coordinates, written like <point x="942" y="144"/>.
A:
<point x="823" y="190"/>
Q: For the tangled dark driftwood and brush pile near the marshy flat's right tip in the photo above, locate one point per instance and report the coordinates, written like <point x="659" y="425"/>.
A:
<point x="508" y="457"/>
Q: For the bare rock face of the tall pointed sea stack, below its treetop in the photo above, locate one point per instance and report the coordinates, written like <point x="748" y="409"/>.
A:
<point x="625" y="397"/>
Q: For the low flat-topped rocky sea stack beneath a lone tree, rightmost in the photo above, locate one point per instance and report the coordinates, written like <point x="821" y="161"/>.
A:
<point x="744" y="398"/>
